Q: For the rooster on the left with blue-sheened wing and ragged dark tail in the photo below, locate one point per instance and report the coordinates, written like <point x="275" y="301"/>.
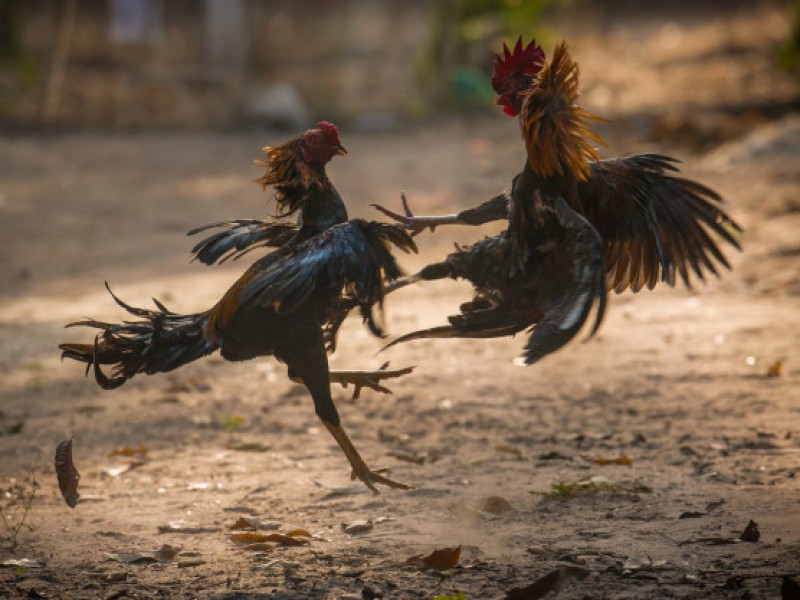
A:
<point x="286" y="305"/>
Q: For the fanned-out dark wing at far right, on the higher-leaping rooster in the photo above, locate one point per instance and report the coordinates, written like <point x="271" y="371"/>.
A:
<point x="654" y="223"/>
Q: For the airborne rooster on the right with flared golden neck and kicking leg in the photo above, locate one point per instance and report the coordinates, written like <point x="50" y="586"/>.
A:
<point x="576" y="224"/>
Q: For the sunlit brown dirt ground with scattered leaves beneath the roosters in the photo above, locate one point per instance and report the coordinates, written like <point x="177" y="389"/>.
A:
<point x="673" y="392"/>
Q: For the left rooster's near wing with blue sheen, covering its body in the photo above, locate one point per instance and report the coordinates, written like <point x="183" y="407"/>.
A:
<point x="353" y="257"/>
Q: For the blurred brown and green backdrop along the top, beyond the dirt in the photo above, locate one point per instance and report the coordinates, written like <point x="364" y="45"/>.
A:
<point x="193" y="64"/>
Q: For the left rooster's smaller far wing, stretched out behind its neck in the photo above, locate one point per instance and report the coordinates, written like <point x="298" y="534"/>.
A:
<point x="238" y="237"/>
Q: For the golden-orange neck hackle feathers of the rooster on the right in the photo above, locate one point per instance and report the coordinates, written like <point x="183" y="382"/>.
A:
<point x="555" y="127"/>
